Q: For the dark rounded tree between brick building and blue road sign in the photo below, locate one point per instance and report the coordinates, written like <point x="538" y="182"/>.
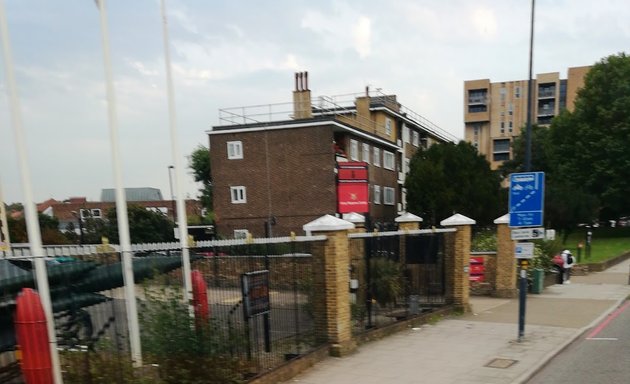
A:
<point x="452" y="178"/>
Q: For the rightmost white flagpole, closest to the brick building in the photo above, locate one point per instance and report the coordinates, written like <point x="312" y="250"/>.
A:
<point x="181" y="207"/>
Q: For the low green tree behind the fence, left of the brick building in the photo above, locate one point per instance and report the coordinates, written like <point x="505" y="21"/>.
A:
<point x="144" y="226"/>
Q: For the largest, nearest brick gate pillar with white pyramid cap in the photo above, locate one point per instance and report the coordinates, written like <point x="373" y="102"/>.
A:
<point x="331" y="277"/>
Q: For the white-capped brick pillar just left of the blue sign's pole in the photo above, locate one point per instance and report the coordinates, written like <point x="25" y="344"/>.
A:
<point x="505" y="273"/>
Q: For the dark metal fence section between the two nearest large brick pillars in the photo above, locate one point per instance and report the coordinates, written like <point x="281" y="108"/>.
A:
<point x="396" y="275"/>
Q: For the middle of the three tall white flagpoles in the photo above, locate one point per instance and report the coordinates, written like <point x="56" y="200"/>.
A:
<point x="121" y="202"/>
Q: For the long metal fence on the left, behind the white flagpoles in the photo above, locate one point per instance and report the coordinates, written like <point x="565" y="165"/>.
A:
<point x="258" y="310"/>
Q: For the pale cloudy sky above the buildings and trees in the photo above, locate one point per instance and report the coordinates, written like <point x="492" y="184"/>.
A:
<point x="232" y="53"/>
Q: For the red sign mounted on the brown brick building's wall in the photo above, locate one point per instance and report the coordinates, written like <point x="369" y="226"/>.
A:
<point x="352" y="187"/>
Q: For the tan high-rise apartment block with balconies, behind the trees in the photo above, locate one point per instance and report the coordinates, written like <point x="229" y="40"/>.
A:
<point x="495" y="113"/>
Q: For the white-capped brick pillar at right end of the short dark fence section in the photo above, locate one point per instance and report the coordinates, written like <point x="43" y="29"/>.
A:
<point x="457" y="260"/>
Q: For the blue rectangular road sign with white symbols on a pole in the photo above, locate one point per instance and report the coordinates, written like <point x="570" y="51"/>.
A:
<point x="527" y="196"/>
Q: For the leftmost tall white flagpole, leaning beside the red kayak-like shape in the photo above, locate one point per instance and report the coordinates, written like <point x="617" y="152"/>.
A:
<point x="32" y="223"/>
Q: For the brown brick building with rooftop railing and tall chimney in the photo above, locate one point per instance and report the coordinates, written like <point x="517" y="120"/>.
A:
<point x="274" y="168"/>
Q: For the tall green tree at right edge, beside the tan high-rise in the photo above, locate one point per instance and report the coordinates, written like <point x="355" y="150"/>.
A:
<point x="590" y="143"/>
